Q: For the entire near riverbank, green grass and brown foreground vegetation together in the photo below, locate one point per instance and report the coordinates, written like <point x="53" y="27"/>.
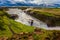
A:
<point x="12" y="30"/>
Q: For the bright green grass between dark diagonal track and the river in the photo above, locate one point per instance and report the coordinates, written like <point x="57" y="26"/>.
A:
<point x="18" y="27"/>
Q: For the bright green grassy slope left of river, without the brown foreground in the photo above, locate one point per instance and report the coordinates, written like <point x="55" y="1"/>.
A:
<point x="6" y="22"/>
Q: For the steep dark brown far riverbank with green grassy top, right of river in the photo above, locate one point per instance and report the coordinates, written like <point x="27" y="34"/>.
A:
<point x="50" y="19"/>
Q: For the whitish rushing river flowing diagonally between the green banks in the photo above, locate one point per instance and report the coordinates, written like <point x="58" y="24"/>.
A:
<point x="25" y="19"/>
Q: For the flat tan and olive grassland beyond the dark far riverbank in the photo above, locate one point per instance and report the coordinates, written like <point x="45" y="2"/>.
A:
<point x="50" y="10"/>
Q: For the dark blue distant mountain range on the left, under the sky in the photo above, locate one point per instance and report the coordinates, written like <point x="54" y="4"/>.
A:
<point x="8" y="3"/>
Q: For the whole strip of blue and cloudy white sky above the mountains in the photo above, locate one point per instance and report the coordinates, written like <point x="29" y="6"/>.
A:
<point x="32" y="1"/>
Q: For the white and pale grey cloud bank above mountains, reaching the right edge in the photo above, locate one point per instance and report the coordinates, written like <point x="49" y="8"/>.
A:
<point x="38" y="1"/>
